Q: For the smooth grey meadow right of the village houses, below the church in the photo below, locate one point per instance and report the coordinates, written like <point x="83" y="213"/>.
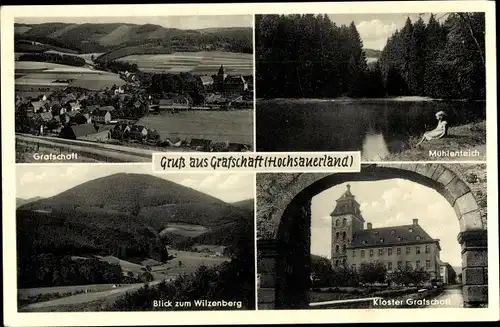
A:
<point x="218" y="126"/>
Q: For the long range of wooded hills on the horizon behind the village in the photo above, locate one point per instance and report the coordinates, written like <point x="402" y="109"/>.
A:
<point x="98" y="38"/>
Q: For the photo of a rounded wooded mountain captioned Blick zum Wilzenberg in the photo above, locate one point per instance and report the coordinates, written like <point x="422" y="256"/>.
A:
<point x="120" y="238"/>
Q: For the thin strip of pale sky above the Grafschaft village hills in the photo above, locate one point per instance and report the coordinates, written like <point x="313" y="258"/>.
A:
<point x="180" y="22"/>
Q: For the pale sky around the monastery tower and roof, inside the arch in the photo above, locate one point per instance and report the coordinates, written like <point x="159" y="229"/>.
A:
<point x="392" y="202"/>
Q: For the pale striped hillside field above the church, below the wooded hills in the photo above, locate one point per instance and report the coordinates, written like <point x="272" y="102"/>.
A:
<point x="206" y="62"/>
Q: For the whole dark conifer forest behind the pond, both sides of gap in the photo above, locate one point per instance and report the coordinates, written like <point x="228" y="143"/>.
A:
<point x="309" y="56"/>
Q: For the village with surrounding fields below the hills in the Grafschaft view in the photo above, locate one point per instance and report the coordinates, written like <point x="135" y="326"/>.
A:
<point x="195" y="100"/>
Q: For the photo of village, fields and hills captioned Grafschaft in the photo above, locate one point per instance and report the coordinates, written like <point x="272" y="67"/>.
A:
<point x="117" y="89"/>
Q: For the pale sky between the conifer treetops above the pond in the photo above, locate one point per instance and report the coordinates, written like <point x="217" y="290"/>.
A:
<point x="375" y="29"/>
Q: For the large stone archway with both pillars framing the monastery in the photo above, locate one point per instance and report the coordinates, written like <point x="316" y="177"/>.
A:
<point x="284" y="219"/>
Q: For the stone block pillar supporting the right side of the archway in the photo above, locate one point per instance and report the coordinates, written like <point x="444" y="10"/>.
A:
<point x="474" y="267"/>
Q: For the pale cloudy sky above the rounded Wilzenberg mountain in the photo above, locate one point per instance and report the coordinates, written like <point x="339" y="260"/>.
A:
<point x="50" y="180"/>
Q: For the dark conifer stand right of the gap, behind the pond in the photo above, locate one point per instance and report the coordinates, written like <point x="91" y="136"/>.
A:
<point x="439" y="60"/>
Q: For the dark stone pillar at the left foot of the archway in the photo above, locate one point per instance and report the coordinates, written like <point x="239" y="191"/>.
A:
<point x="266" y="270"/>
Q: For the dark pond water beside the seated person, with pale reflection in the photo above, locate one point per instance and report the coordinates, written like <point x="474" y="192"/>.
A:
<point x="377" y="128"/>
